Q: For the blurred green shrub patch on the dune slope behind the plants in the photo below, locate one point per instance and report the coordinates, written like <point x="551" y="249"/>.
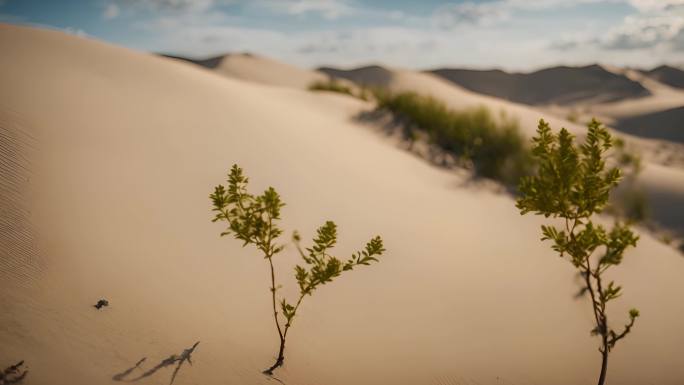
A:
<point x="495" y="147"/>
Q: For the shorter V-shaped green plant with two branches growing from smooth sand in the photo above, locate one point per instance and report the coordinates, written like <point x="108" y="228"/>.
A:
<point x="254" y="221"/>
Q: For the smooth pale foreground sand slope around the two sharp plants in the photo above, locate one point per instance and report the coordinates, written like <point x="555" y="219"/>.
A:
<point x="108" y="156"/>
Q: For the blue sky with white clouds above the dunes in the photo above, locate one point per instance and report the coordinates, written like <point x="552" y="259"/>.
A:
<point x="514" y="35"/>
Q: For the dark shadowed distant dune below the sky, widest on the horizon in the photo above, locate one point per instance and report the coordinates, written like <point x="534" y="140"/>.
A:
<point x="557" y="85"/>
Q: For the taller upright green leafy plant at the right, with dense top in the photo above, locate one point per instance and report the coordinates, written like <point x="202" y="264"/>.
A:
<point x="573" y="184"/>
